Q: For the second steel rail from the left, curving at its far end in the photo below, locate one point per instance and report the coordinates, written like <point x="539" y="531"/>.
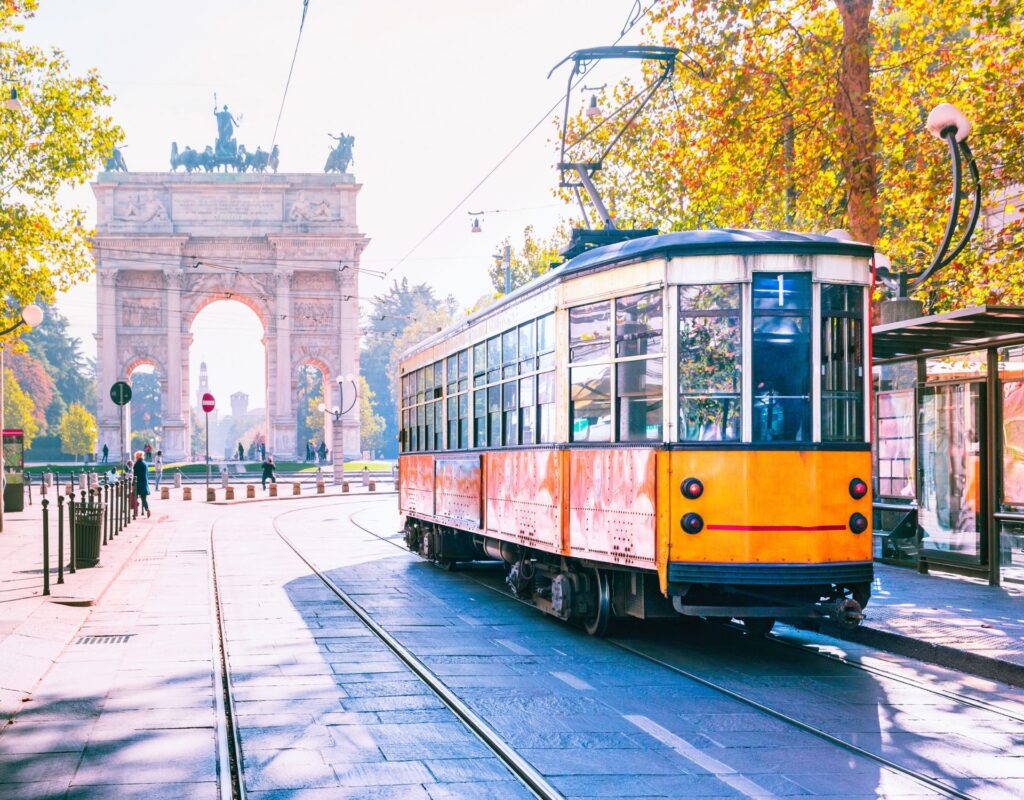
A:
<point x="516" y="764"/>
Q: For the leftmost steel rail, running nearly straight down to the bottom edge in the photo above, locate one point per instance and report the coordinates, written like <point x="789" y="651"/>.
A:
<point x="230" y="768"/>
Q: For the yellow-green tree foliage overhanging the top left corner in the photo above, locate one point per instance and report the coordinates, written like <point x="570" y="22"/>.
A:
<point x="60" y="139"/>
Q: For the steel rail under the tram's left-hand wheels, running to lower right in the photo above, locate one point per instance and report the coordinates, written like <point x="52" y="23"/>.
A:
<point x="919" y="778"/>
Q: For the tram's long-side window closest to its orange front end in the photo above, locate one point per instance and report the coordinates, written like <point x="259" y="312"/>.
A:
<point x="639" y="382"/>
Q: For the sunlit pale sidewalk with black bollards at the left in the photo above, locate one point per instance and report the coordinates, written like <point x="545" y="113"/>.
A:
<point x="35" y="629"/>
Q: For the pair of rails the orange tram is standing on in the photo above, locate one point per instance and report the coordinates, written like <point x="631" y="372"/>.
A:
<point x="920" y="778"/>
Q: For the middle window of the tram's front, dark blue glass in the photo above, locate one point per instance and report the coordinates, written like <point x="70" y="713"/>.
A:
<point x="782" y="357"/>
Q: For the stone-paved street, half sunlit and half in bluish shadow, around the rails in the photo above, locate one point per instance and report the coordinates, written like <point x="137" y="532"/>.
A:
<point x="326" y="711"/>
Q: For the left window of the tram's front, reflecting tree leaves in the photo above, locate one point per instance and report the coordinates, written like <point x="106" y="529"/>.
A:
<point x="710" y="363"/>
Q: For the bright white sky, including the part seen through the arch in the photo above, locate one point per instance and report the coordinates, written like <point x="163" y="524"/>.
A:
<point x="437" y="93"/>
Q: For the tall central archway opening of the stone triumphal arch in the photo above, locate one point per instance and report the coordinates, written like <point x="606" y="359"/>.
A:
<point x="228" y="356"/>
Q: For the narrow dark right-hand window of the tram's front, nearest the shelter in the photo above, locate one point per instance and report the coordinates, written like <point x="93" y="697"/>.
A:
<point x="842" y="363"/>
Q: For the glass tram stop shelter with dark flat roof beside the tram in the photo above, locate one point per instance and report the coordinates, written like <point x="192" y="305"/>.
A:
<point x="949" y="417"/>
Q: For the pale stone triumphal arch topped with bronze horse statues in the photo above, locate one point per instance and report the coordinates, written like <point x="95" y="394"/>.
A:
<point x="287" y="245"/>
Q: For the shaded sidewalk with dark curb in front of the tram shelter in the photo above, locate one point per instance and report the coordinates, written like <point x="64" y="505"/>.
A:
<point x="946" y="620"/>
